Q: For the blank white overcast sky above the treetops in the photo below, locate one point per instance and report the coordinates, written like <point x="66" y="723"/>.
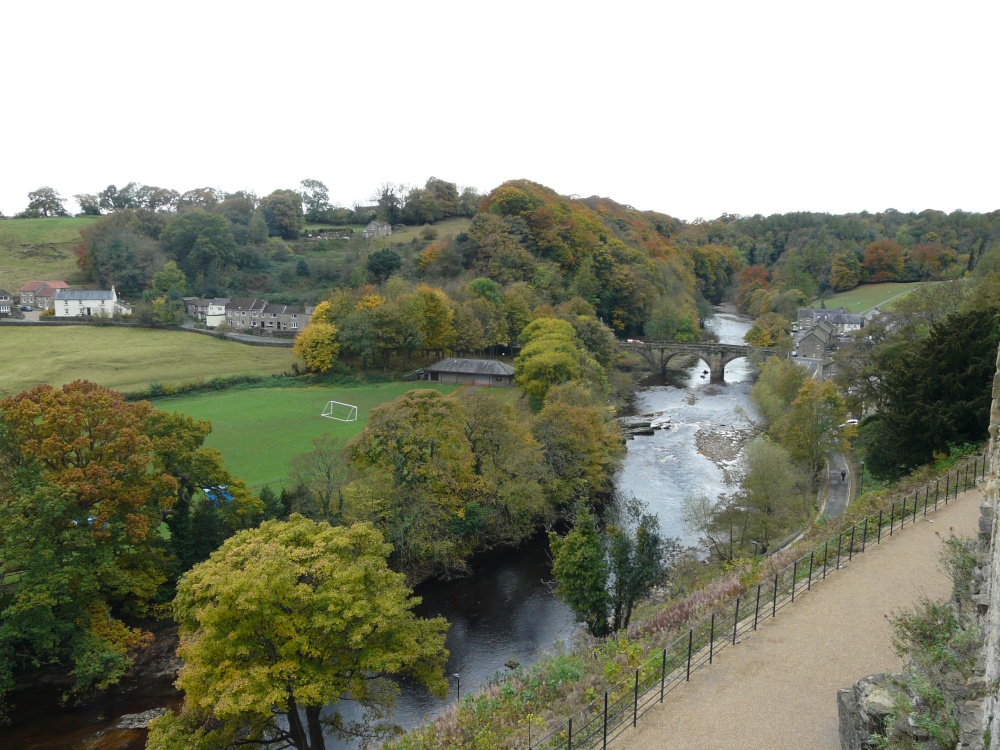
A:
<point x="688" y="107"/>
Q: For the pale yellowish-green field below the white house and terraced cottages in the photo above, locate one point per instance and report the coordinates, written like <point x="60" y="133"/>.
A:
<point x="127" y="359"/>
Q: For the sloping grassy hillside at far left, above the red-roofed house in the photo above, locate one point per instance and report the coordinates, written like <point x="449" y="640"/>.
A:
<point x="39" y="250"/>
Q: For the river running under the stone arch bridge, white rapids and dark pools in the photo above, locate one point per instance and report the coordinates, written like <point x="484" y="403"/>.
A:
<point x="506" y="611"/>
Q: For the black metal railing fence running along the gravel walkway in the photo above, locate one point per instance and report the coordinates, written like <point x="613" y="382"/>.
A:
<point x="621" y="706"/>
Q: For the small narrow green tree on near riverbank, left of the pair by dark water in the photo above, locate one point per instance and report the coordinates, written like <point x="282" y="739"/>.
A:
<point x="581" y="572"/>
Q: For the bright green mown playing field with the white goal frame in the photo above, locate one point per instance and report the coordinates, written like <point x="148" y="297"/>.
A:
<point x="260" y="431"/>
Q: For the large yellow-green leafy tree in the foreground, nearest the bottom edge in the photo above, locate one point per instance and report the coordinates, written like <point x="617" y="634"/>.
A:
<point x="281" y="624"/>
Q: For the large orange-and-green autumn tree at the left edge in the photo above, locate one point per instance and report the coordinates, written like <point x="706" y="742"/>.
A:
<point x="82" y="492"/>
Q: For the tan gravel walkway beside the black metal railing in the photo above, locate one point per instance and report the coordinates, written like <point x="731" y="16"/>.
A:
<point x="777" y="689"/>
